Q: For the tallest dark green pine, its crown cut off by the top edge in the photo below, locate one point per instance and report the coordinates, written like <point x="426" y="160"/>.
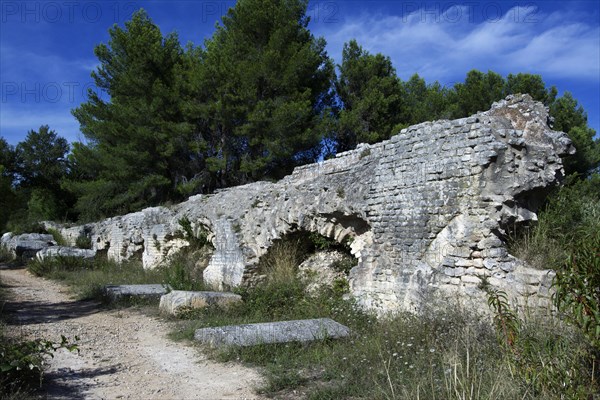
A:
<point x="267" y="80"/>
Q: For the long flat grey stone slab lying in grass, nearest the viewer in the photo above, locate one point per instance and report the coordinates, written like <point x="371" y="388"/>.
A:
<point x="305" y="330"/>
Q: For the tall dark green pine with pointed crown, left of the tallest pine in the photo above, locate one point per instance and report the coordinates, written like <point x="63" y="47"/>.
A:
<point x="136" y="138"/>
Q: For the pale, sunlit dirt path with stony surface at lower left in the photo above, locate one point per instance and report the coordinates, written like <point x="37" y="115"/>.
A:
<point x="124" y="354"/>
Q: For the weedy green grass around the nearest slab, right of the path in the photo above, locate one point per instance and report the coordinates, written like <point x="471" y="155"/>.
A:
<point x="444" y="353"/>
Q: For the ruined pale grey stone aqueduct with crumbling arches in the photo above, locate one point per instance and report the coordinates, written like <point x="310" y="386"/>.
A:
<point x="426" y="212"/>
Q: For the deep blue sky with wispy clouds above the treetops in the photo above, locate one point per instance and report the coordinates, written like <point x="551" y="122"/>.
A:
<point x="46" y="47"/>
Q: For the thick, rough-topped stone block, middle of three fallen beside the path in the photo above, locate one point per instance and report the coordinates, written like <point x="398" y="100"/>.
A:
<point x="173" y="302"/>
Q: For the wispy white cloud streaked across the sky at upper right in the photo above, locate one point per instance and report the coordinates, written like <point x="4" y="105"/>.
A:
<point x="445" y="47"/>
